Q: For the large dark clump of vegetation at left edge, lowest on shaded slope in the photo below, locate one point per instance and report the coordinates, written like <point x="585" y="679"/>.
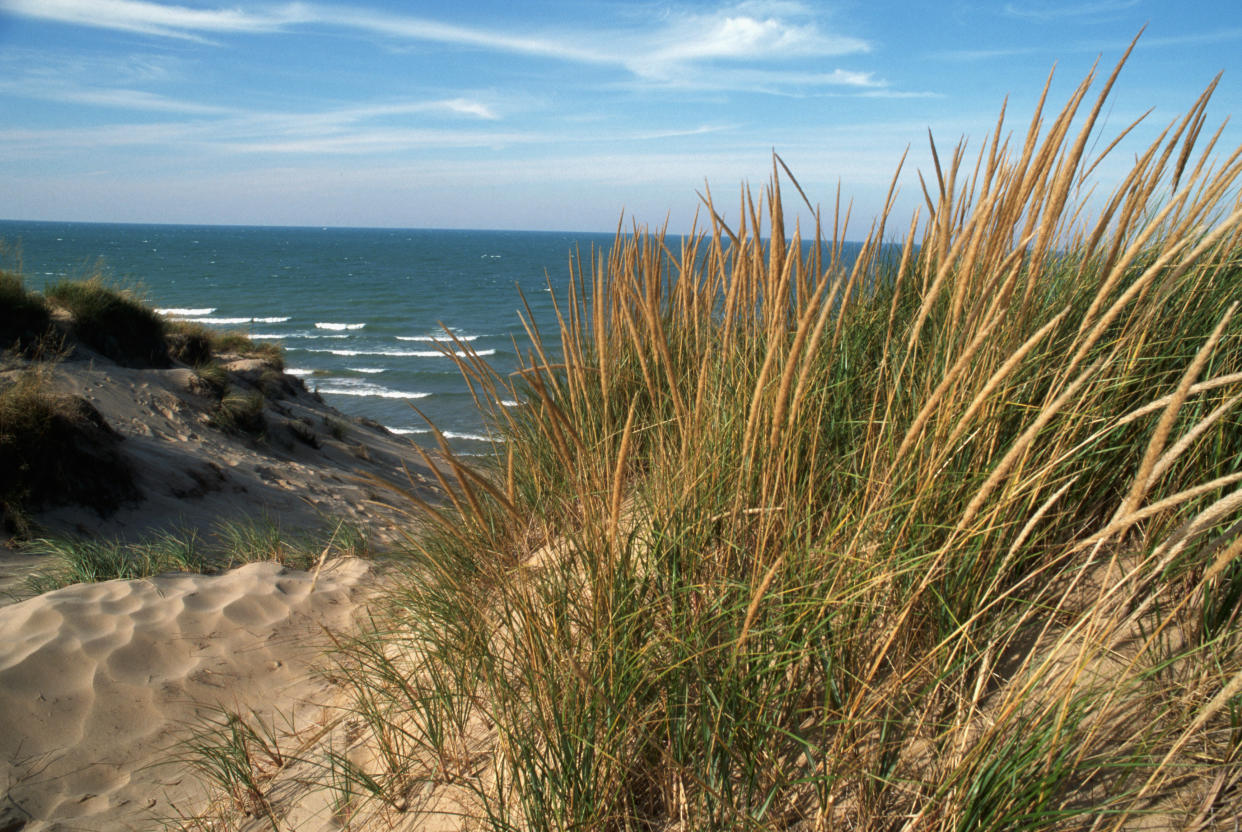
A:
<point x="57" y="450"/>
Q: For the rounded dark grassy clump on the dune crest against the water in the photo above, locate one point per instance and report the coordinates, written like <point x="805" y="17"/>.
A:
<point x="114" y="322"/>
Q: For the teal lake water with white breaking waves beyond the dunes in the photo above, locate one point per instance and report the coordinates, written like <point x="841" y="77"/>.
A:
<point x="357" y="310"/>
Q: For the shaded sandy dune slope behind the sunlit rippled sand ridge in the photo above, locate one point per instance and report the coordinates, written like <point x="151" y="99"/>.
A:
<point x="192" y="476"/>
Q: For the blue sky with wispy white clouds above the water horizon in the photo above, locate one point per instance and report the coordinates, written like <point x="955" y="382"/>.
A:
<point x="552" y="115"/>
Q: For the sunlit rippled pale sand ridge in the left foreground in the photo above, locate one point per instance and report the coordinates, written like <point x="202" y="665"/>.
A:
<point x="100" y="684"/>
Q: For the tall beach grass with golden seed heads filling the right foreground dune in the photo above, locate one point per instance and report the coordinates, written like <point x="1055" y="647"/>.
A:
<point x="942" y="538"/>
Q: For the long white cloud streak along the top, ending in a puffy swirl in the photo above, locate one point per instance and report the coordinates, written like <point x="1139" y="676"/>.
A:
<point x="685" y="48"/>
